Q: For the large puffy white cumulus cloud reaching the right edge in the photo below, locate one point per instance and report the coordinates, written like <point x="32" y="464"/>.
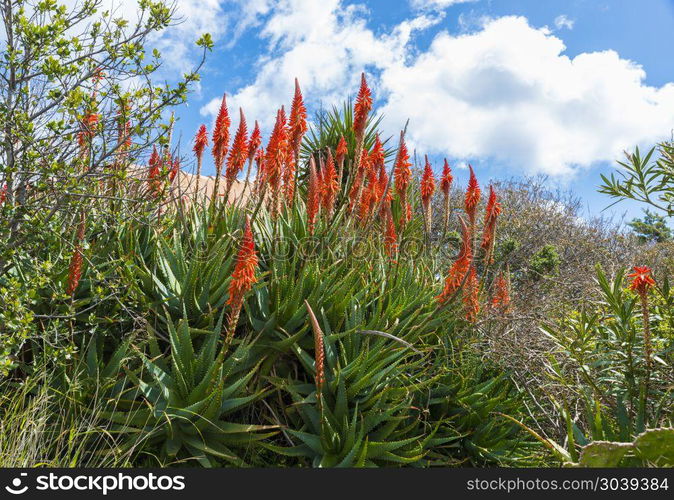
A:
<point x="509" y="93"/>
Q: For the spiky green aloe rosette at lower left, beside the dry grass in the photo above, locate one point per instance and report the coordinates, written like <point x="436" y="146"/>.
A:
<point x="181" y="404"/>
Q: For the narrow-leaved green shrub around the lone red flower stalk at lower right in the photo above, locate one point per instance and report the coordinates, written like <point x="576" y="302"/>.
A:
<point x="616" y="396"/>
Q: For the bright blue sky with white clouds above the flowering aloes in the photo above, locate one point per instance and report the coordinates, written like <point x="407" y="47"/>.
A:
<point x="514" y="87"/>
